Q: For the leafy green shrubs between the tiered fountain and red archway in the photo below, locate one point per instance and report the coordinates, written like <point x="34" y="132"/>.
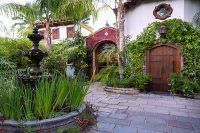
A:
<point x="69" y="51"/>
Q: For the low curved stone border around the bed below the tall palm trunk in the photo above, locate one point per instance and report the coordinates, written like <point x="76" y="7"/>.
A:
<point x="129" y="91"/>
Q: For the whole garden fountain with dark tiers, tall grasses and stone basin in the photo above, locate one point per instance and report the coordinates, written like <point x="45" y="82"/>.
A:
<point x="39" y="120"/>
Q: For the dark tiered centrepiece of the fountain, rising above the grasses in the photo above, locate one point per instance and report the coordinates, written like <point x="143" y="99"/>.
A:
<point x="35" y="55"/>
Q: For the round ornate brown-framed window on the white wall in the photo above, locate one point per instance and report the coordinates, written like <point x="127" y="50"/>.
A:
<point x="162" y="11"/>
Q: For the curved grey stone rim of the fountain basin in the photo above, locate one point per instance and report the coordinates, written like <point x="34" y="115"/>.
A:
<point x="47" y="125"/>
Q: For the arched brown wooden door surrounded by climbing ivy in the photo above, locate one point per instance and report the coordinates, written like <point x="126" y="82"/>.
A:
<point x="161" y="61"/>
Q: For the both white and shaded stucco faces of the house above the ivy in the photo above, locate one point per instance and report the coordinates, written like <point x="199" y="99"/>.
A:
<point x="139" y="13"/>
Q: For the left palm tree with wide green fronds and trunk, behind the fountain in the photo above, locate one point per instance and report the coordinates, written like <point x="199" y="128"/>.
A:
<point x="76" y="10"/>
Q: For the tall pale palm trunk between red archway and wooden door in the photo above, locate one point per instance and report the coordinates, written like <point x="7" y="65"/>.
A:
<point x="120" y="39"/>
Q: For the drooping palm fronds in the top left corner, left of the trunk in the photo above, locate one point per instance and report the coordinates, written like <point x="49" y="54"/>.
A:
<point x="25" y="15"/>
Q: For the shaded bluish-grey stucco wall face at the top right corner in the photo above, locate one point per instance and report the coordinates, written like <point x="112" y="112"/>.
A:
<point x="191" y="7"/>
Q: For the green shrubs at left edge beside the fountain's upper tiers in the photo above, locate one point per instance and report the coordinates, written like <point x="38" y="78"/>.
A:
<point x="12" y="50"/>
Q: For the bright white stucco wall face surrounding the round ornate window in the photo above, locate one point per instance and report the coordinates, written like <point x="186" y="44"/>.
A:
<point x="141" y="15"/>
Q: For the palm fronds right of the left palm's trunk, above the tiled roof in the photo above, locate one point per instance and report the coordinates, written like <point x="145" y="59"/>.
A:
<point x="79" y="12"/>
